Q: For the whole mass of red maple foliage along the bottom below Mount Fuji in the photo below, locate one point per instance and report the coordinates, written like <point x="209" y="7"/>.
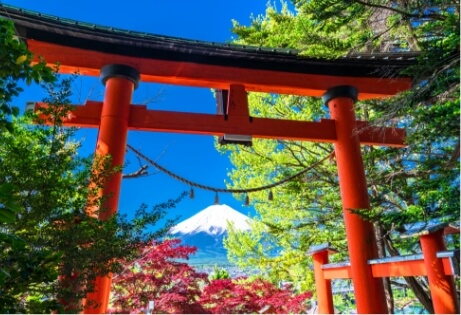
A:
<point x="175" y="287"/>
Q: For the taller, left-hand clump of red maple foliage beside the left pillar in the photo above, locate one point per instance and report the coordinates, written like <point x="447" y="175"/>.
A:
<point x="158" y="276"/>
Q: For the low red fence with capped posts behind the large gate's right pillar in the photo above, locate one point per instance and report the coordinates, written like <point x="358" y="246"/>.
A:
<point x="436" y="263"/>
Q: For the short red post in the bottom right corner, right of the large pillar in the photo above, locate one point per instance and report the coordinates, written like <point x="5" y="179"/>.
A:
<point x="442" y="287"/>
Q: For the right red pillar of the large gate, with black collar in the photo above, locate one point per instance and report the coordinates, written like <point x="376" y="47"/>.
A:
<point x="369" y="291"/>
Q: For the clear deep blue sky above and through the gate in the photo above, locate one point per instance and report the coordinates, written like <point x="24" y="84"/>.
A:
<point x="190" y="156"/>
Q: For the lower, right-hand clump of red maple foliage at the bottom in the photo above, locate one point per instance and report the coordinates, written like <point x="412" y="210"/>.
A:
<point x="242" y="296"/>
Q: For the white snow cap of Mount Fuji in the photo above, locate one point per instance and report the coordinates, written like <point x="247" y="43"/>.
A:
<point x="213" y="221"/>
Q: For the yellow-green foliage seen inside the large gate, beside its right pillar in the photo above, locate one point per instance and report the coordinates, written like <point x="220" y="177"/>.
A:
<point x="281" y="235"/>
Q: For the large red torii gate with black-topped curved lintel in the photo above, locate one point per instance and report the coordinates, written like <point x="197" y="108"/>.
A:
<point x="123" y="58"/>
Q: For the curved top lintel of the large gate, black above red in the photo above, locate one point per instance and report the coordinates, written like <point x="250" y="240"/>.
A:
<point x="86" y="48"/>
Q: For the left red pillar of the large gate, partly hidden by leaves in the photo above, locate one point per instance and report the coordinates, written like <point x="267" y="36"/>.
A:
<point x="120" y="81"/>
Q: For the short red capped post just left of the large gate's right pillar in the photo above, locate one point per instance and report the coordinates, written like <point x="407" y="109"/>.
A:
<point x="323" y="286"/>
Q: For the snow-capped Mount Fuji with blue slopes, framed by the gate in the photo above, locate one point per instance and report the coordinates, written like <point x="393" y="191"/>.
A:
<point x="206" y="230"/>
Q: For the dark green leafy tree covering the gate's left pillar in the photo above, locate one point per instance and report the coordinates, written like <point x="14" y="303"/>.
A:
<point x="50" y="250"/>
